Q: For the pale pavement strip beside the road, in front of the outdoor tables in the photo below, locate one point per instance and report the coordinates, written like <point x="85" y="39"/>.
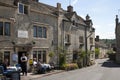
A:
<point x="31" y="76"/>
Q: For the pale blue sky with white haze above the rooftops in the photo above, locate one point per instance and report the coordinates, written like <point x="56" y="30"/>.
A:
<point x="102" y="13"/>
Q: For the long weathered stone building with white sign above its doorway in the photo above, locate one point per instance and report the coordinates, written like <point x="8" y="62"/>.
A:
<point x="34" y="28"/>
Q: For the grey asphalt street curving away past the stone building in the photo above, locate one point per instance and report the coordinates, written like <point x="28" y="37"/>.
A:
<point x="102" y="70"/>
